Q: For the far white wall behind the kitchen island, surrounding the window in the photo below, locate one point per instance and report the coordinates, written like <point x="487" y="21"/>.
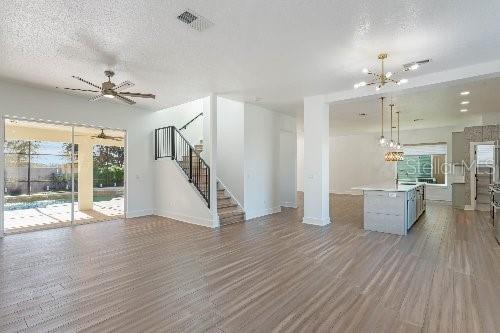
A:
<point x="358" y="160"/>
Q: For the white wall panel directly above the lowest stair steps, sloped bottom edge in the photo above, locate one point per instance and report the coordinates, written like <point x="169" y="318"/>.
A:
<point x="230" y="146"/>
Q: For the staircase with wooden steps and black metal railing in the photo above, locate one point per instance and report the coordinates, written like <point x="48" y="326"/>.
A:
<point x="169" y="142"/>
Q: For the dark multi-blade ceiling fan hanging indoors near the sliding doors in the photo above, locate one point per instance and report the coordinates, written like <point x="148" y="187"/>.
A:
<point x="110" y="90"/>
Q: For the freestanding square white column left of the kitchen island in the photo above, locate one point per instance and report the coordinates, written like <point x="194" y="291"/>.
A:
<point x="316" y="161"/>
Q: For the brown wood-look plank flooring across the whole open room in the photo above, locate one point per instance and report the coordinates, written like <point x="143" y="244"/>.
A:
<point x="272" y="274"/>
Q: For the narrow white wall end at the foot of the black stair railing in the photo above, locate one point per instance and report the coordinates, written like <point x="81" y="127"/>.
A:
<point x="212" y="155"/>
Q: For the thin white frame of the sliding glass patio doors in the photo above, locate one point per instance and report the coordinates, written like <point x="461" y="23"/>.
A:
<point x="72" y="125"/>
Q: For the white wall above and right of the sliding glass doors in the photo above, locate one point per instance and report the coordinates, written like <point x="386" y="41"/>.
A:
<point x="39" y="104"/>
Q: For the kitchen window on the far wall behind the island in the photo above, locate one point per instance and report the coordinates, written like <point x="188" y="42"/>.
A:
<point x="423" y="163"/>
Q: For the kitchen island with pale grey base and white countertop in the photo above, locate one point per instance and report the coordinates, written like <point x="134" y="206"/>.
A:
<point x="393" y="209"/>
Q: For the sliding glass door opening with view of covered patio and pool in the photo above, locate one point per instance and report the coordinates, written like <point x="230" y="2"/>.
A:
<point x="58" y="175"/>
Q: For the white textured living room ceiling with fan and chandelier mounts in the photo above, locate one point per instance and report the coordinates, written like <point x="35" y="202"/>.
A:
<point x="275" y="52"/>
